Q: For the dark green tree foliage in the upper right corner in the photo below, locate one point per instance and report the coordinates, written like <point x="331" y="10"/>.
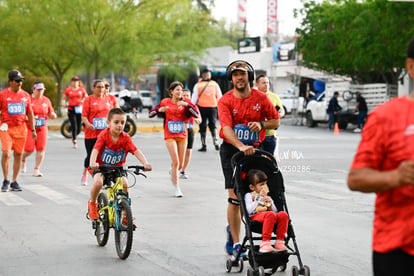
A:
<point x="364" y="40"/>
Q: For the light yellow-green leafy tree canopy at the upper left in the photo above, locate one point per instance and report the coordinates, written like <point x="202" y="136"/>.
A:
<point x="100" y="36"/>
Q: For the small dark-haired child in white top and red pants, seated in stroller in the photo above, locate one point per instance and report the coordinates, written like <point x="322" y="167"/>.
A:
<point x="261" y="208"/>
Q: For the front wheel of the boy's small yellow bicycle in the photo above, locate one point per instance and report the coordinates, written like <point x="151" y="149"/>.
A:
<point x="124" y="230"/>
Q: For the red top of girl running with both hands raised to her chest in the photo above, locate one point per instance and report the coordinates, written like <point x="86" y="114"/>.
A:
<point x="175" y="119"/>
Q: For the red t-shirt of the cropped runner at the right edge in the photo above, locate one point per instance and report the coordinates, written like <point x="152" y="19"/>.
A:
<point x="387" y="140"/>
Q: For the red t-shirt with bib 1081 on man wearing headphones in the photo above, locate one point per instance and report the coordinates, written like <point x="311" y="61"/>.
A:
<point x="236" y="113"/>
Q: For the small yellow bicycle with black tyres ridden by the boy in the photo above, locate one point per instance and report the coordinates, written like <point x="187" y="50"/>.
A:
<point x="114" y="209"/>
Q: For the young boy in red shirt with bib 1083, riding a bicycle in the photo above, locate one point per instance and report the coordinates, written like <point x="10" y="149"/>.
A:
<point x="111" y="148"/>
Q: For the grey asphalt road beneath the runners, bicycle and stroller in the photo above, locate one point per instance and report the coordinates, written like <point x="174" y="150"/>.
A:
<point x="43" y="229"/>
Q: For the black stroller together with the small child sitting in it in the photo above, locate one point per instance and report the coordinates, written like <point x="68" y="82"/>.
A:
<point x="263" y="257"/>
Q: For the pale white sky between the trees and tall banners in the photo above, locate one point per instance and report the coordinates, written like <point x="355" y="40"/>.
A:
<point x="257" y="13"/>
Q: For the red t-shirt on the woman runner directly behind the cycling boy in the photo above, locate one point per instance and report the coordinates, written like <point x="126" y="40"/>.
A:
<point x="96" y="111"/>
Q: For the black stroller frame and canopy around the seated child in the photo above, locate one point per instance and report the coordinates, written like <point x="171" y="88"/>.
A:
<point x="264" y="161"/>
